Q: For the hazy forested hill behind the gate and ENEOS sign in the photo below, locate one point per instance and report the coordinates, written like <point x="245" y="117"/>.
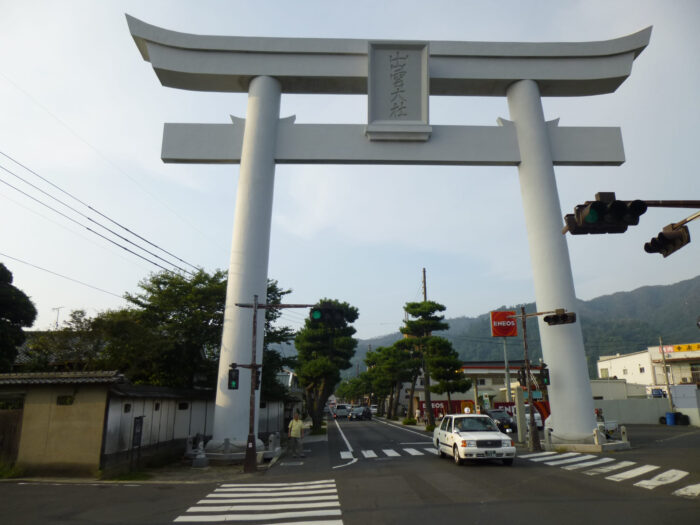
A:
<point x="623" y="322"/>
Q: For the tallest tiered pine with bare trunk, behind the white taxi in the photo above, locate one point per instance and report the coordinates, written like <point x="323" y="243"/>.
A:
<point x="419" y="334"/>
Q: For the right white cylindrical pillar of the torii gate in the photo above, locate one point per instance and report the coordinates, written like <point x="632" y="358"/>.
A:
<point x="551" y="267"/>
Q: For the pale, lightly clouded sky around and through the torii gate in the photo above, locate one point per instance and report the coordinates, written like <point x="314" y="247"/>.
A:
<point x="84" y="113"/>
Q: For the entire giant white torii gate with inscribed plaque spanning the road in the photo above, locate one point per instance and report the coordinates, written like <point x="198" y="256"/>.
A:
<point x="398" y="77"/>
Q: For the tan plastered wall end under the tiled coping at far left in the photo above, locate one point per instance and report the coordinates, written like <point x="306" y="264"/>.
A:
<point x="62" y="438"/>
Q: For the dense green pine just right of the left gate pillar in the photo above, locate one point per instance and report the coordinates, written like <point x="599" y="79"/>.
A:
<point x="324" y="348"/>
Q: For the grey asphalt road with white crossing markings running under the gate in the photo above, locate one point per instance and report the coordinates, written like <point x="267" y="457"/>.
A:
<point x="375" y="472"/>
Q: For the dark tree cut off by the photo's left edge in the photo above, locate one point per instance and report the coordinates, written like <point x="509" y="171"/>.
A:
<point x="16" y="311"/>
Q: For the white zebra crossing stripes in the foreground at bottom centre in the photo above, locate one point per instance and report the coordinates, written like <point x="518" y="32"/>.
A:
<point x="313" y="502"/>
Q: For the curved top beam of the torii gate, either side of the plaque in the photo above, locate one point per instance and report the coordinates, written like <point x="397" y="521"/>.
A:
<point x="340" y="66"/>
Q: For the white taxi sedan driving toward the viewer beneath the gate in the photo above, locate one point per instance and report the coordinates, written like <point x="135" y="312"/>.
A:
<point x="472" y="436"/>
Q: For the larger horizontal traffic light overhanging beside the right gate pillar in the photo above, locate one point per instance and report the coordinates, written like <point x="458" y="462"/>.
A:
<point x="604" y="215"/>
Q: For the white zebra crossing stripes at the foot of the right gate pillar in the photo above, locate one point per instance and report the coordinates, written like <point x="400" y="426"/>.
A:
<point x="616" y="471"/>
